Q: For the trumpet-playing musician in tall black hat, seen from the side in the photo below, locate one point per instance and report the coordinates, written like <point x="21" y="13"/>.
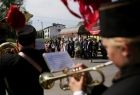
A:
<point x="120" y="33"/>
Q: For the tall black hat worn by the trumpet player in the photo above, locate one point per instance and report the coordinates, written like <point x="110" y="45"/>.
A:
<point x="120" y="19"/>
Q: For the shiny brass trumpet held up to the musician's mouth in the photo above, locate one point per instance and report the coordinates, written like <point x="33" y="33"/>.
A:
<point x="47" y="80"/>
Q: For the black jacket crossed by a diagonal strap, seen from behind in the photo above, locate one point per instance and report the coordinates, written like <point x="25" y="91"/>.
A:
<point x="18" y="76"/>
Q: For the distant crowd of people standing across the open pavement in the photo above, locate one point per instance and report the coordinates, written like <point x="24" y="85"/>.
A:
<point x="85" y="48"/>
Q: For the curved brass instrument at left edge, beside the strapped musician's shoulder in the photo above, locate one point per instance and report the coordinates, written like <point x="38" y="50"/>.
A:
<point x="8" y="47"/>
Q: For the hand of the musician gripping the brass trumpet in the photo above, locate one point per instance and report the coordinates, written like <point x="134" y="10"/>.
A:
<point x="79" y="81"/>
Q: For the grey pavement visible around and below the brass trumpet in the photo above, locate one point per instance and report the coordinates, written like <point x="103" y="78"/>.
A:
<point x="108" y="71"/>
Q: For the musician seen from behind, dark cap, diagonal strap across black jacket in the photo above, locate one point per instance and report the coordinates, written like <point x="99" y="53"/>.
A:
<point x="17" y="75"/>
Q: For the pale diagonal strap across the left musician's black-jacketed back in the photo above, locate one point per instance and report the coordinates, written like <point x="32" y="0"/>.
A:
<point x="31" y="61"/>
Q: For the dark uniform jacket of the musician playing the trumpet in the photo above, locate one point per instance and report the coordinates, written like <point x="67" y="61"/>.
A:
<point x="128" y="83"/>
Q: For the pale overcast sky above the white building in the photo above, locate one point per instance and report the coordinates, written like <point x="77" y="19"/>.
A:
<point x="51" y="11"/>
